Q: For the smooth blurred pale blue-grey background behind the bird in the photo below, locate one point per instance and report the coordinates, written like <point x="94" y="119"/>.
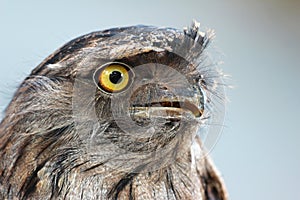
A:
<point x="259" y="42"/>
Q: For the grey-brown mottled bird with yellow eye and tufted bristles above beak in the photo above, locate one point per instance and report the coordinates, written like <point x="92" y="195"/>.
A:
<point x="115" y="114"/>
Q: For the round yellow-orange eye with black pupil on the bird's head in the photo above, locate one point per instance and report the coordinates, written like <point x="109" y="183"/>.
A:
<point x="113" y="77"/>
